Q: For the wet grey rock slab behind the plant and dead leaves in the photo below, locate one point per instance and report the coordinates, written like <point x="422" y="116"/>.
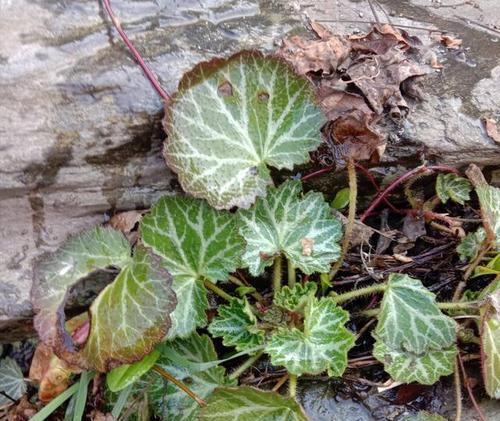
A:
<point x="80" y="135"/>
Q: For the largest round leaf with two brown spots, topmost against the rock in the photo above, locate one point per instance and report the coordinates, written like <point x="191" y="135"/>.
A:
<point x="231" y="119"/>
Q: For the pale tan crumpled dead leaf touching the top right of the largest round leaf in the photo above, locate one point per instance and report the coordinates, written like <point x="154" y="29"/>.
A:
<point x="318" y="56"/>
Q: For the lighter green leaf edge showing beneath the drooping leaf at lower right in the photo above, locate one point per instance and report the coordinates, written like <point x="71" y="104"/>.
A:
<point x="408" y="367"/>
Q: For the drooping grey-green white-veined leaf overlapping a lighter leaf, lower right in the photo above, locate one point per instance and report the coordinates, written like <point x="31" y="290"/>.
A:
<point x="410" y="319"/>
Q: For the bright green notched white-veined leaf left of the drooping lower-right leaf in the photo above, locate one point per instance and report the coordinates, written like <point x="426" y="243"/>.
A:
<point x="322" y="344"/>
